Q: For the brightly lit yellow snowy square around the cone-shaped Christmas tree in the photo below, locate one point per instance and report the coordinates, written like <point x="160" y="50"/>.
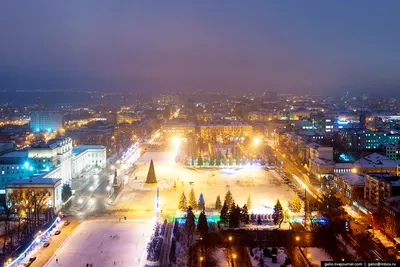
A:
<point x="264" y="187"/>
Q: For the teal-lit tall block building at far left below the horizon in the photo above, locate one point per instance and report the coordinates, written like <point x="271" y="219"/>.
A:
<point x="45" y="121"/>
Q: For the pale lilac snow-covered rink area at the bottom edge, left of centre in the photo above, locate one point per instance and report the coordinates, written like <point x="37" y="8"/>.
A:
<point x="102" y="243"/>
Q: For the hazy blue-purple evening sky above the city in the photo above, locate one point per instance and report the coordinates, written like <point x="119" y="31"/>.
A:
<point x="294" y="46"/>
